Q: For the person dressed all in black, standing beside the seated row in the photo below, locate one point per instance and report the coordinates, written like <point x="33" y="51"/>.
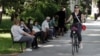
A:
<point x="61" y="20"/>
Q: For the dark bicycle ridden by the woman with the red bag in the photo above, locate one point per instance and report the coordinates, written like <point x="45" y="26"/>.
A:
<point x="75" y="43"/>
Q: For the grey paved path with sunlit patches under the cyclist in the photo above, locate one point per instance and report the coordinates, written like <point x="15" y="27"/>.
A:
<point x="62" y="47"/>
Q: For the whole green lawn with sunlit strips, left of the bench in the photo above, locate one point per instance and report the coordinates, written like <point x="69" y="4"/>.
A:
<point x="5" y="38"/>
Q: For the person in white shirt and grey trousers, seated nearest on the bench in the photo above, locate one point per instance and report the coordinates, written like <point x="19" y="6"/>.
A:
<point x="21" y="36"/>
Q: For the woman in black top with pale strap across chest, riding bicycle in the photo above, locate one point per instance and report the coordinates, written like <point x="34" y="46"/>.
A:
<point x="77" y="17"/>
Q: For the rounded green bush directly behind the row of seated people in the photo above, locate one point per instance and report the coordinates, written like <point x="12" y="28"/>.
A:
<point x="40" y="11"/>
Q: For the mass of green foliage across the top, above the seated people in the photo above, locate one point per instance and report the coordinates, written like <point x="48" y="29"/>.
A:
<point x="36" y="9"/>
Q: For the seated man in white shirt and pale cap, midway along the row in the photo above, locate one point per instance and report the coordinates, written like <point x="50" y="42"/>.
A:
<point x="45" y="27"/>
